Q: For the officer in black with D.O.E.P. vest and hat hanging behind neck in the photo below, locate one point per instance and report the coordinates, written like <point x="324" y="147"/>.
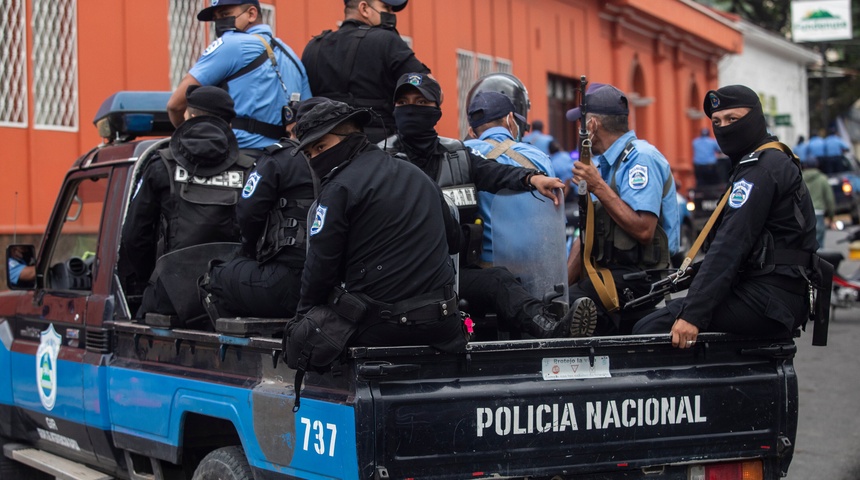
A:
<point x="187" y="193"/>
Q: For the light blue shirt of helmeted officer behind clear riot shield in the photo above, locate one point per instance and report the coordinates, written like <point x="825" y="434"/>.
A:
<point x="485" y="199"/>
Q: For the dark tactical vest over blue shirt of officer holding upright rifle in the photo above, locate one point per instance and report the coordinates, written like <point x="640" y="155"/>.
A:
<point x="614" y="246"/>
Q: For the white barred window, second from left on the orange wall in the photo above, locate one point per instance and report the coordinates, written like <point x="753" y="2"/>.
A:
<point x="55" y="64"/>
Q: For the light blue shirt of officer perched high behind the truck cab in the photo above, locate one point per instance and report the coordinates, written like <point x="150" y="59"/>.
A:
<point x="257" y="94"/>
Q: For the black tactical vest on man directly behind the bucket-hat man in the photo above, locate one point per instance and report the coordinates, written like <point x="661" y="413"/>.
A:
<point x="286" y="225"/>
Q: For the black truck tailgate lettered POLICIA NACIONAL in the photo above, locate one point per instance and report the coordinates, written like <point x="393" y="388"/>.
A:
<point x="539" y="408"/>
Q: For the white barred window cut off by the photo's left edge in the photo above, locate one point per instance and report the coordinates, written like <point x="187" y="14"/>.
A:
<point x="13" y="56"/>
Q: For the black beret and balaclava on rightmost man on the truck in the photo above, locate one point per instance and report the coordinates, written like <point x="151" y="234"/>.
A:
<point x="743" y="136"/>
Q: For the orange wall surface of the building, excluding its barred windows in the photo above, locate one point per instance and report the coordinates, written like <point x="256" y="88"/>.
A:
<point x="123" y="45"/>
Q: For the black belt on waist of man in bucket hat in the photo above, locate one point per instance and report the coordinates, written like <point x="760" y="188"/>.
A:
<point x="426" y="308"/>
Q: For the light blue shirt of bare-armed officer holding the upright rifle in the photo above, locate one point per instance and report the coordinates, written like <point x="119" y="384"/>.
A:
<point x="639" y="182"/>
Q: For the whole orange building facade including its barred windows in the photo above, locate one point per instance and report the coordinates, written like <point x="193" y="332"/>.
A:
<point x="62" y="58"/>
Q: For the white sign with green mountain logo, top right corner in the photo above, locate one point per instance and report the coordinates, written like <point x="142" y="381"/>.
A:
<point x="820" y="20"/>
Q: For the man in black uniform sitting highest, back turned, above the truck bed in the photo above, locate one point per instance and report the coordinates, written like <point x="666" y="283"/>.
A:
<point x="359" y="64"/>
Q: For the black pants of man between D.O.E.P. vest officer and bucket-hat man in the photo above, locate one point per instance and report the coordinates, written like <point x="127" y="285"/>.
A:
<point x="243" y="287"/>
